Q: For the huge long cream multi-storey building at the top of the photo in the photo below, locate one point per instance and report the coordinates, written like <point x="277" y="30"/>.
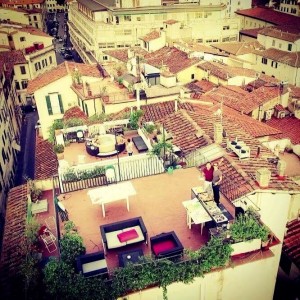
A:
<point x="96" y="26"/>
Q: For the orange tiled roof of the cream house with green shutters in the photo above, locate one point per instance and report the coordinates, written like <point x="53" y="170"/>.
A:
<point x="62" y="70"/>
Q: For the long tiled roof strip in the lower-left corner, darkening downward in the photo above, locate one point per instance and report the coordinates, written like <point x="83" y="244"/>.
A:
<point x="14" y="232"/>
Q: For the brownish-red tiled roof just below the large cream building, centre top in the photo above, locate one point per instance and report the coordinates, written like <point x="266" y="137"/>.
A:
<point x="175" y="59"/>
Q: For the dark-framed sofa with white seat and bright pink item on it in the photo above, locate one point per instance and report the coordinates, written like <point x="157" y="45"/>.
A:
<point x="123" y="233"/>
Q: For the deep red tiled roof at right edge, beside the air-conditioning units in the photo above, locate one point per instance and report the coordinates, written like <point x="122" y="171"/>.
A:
<point x="289" y="126"/>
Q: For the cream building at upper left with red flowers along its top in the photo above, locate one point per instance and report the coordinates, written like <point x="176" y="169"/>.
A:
<point x="35" y="46"/>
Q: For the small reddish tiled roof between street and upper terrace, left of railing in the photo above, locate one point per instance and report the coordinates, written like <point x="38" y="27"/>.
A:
<point x="46" y="164"/>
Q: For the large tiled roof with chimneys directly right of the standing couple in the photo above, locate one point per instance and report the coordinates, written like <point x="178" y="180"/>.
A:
<point x="240" y="174"/>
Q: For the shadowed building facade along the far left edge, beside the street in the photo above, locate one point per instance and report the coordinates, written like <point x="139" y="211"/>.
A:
<point x="10" y="123"/>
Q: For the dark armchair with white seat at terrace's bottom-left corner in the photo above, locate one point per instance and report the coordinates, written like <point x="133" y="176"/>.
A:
<point x="92" y="264"/>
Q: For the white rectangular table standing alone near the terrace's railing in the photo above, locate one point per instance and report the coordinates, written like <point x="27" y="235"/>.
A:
<point x="112" y="193"/>
